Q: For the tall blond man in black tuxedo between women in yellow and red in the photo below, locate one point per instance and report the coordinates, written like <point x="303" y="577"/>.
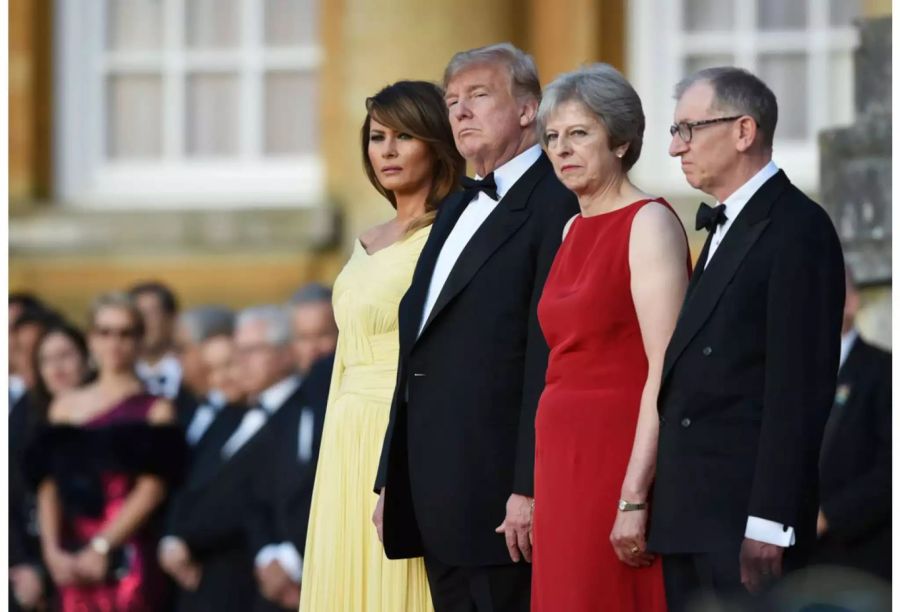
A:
<point x="456" y="472"/>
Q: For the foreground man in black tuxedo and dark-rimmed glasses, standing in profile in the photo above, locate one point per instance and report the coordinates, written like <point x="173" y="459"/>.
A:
<point x="749" y="374"/>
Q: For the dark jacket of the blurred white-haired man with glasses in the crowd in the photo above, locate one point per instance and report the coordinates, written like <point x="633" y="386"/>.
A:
<point x="212" y="510"/>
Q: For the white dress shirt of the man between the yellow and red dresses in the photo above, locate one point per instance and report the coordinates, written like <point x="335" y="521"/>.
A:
<point x="476" y="212"/>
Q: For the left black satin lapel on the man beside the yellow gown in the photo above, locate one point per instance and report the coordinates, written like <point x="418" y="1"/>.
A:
<point x="413" y="302"/>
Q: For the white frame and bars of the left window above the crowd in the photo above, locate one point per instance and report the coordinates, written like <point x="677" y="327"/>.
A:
<point x="84" y="178"/>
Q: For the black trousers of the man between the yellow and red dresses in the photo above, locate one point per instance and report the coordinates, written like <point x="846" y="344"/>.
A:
<point x="495" y="588"/>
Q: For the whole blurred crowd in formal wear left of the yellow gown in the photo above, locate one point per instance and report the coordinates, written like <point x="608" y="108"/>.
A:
<point x="163" y="458"/>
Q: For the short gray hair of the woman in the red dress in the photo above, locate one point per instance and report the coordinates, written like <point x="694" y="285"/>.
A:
<point x="609" y="96"/>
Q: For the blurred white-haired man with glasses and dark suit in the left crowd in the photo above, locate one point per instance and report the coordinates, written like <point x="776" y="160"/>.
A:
<point x="207" y="549"/>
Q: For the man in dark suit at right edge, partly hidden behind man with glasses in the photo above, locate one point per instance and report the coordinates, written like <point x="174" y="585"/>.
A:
<point x="854" y="524"/>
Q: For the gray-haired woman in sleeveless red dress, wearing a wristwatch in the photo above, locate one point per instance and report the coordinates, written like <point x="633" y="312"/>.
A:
<point x="607" y="311"/>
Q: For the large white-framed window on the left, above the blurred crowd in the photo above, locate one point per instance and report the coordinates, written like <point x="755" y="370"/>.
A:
<point x="188" y="102"/>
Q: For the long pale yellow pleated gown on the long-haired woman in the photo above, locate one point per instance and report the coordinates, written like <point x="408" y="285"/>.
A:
<point x="344" y="566"/>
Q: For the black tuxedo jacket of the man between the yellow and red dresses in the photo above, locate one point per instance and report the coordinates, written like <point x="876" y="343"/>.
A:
<point x="460" y="438"/>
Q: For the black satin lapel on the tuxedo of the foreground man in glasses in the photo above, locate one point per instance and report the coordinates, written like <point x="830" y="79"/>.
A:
<point x="700" y="302"/>
